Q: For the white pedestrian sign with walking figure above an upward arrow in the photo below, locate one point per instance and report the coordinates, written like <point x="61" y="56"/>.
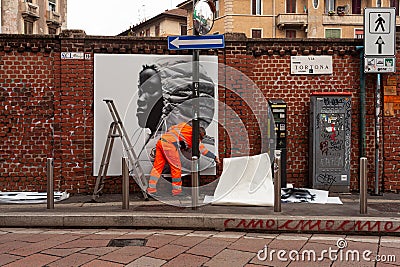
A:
<point x="380" y="31"/>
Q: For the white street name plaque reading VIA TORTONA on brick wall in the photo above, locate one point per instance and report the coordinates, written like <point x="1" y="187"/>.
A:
<point x="311" y="65"/>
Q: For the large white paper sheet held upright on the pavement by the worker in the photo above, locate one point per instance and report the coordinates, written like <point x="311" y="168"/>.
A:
<point x="245" y="181"/>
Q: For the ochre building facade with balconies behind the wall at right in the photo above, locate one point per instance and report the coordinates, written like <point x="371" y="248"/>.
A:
<point x="291" y="18"/>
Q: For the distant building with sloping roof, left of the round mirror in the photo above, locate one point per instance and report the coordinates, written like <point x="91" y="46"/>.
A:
<point x="170" y="22"/>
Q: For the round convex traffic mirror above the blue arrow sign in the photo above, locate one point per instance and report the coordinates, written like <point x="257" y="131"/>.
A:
<point x="203" y="16"/>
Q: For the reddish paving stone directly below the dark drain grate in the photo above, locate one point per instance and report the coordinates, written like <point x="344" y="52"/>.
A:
<point x="126" y="255"/>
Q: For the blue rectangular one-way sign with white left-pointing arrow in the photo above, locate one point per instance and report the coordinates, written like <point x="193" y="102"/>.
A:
<point x="196" y="42"/>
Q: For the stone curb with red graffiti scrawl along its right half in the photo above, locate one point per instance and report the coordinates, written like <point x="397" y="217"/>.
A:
<point x="223" y="222"/>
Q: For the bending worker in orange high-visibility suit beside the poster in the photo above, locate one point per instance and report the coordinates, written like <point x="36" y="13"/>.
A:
<point x="178" y="136"/>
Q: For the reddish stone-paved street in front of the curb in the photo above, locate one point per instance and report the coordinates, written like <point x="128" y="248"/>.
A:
<point x="155" y="247"/>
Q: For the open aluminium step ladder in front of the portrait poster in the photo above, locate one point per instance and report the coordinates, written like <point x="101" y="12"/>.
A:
<point x="117" y="130"/>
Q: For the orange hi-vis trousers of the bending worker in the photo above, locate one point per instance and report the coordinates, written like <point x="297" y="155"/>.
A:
<point x="166" y="152"/>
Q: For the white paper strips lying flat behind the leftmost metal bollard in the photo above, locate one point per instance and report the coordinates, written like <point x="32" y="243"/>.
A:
<point x="30" y="197"/>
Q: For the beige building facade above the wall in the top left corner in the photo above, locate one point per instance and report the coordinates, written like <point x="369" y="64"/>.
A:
<point x="33" y="16"/>
